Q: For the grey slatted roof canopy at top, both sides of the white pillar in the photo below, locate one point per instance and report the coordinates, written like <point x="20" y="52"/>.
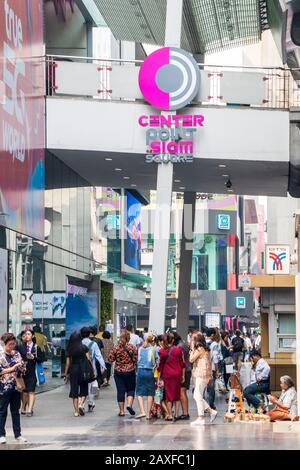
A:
<point x="208" y="25"/>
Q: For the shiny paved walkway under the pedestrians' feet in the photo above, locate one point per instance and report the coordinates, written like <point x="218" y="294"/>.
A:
<point x="54" y="427"/>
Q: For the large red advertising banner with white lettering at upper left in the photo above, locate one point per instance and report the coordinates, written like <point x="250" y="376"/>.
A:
<point x="22" y="116"/>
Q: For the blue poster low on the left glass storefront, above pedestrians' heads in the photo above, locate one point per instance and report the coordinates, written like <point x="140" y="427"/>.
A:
<point x="81" y="309"/>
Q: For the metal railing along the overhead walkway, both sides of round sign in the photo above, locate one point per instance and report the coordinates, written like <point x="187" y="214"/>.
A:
<point x="280" y="88"/>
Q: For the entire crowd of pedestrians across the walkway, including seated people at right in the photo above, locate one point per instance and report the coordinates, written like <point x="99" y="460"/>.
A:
<point x="157" y="370"/>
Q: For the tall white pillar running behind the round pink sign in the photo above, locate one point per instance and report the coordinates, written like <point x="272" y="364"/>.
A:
<point x="164" y="198"/>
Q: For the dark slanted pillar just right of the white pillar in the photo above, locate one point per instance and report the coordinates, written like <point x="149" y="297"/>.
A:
<point x="186" y="259"/>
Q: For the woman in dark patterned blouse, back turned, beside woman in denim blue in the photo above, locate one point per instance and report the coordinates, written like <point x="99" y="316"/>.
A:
<point x="124" y="355"/>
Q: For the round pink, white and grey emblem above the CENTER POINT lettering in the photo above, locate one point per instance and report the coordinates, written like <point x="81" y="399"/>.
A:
<point x="169" y="79"/>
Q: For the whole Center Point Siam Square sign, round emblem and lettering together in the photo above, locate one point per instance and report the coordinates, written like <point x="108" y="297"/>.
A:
<point x="169" y="80"/>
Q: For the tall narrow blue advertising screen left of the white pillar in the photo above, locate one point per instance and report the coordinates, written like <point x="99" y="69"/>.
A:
<point x="132" y="239"/>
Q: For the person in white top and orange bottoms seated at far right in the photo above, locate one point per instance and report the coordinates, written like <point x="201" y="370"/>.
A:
<point x="286" y="405"/>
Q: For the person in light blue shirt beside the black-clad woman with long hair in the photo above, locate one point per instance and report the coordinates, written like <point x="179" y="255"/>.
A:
<point x="87" y="336"/>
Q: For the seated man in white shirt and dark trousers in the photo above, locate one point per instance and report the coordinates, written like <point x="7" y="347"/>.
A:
<point x="262" y="377"/>
